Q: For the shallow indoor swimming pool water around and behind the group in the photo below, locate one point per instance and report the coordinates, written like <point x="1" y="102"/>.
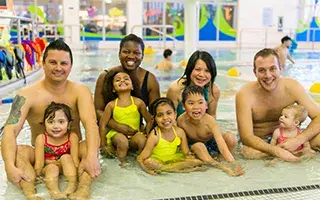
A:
<point x="131" y="183"/>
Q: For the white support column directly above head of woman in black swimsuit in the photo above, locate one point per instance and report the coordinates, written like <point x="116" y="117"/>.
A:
<point x="134" y="16"/>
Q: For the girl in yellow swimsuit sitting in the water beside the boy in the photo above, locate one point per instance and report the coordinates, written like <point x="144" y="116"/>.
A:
<point x="161" y="151"/>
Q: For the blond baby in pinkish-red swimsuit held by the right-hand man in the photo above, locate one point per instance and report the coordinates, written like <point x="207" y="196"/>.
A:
<point x="290" y="120"/>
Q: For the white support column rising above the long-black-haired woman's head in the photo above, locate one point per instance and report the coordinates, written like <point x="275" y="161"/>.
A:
<point x="191" y="30"/>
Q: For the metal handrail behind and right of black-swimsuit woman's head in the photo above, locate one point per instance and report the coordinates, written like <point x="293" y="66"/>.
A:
<point x="162" y="33"/>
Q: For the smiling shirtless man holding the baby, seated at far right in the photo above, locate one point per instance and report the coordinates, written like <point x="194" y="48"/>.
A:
<point x="259" y="105"/>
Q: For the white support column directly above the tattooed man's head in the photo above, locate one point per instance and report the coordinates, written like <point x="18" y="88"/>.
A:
<point x="71" y="20"/>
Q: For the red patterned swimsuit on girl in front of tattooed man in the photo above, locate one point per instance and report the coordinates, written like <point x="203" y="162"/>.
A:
<point x="53" y="152"/>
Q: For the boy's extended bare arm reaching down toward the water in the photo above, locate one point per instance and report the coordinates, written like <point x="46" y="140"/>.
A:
<point x="222" y="146"/>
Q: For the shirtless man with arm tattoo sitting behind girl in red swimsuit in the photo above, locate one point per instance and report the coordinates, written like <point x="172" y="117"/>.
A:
<point x="30" y="103"/>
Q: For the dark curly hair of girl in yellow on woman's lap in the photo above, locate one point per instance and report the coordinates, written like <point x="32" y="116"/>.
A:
<point x="108" y="89"/>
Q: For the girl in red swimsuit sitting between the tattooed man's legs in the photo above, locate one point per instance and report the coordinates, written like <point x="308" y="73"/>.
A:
<point x="57" y="149"/>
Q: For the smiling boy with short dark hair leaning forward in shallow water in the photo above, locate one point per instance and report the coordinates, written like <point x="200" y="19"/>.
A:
<point x="203" y="132"/>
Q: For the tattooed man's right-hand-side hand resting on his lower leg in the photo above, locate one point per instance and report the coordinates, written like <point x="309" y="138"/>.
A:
<point x="91" y="165"/>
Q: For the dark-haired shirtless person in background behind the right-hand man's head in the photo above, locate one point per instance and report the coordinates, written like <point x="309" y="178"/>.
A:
<point x="283" y="51"/>
